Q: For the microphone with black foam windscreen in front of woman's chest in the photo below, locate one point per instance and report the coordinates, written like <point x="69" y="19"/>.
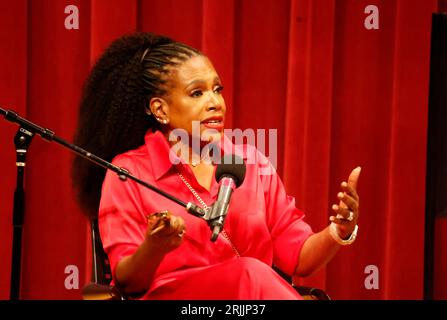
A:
<point x="230" y="174"/>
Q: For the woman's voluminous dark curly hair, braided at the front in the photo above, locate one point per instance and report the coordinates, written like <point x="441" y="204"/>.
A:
<point x="112" y="115"/>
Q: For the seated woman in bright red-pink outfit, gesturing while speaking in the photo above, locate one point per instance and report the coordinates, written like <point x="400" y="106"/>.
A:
<point x="142" y="89"/>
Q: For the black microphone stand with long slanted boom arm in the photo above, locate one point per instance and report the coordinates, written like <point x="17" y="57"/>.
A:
<point x="22" y="141"/>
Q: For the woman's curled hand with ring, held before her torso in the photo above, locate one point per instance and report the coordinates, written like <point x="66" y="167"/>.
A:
<point x="165" y="231"/>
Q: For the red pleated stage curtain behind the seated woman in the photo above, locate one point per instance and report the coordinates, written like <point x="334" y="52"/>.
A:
<point x="338" y="94"/>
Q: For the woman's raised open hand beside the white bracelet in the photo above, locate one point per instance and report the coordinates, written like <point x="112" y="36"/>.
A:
<point x="347" y="211"/>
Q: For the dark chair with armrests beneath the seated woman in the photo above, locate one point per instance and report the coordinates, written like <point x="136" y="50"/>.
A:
<point x="100" y="288"/>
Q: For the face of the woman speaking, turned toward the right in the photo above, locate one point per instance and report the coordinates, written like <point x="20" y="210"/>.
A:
<point x="194" y="94"/>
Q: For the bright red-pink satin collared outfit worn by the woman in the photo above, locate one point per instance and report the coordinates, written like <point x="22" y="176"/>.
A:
<point x="263" y="225"/>
